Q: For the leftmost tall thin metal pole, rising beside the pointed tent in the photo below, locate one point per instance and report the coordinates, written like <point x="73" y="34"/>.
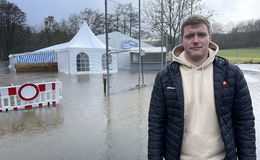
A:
<point x="107" y="54"/>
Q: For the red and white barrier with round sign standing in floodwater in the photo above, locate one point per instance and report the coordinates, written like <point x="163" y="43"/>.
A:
<point x="30" y="95"/>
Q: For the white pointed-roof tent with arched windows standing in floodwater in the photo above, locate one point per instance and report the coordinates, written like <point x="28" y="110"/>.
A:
<point x="84" y="54"/>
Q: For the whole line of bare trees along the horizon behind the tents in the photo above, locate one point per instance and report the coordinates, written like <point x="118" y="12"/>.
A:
<point x="16" y="36"/>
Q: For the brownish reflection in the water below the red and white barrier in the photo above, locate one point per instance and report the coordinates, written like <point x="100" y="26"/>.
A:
<point x="34" y="120"/>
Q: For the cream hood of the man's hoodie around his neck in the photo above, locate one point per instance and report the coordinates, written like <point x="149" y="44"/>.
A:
<point x="178" y="56"/>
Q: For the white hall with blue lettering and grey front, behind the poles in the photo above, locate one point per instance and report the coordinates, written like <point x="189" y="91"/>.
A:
<point x="127" y="49"/>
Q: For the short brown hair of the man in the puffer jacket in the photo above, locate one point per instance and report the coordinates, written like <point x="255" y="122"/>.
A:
<point x="194" y="20"/>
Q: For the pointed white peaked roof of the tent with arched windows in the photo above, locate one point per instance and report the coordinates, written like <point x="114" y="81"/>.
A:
<point x="85" y="38"/>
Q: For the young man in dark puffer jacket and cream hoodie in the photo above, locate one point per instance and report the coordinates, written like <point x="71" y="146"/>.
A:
<point x="200" y="107"/>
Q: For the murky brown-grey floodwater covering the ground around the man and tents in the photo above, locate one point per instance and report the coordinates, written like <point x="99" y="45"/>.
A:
<point x="87" y="125"/>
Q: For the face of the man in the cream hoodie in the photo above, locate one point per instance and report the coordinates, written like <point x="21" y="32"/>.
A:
<point x="196" y="41"/>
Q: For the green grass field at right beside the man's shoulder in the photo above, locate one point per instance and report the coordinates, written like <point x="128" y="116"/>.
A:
<point x="251" y="55"/>
